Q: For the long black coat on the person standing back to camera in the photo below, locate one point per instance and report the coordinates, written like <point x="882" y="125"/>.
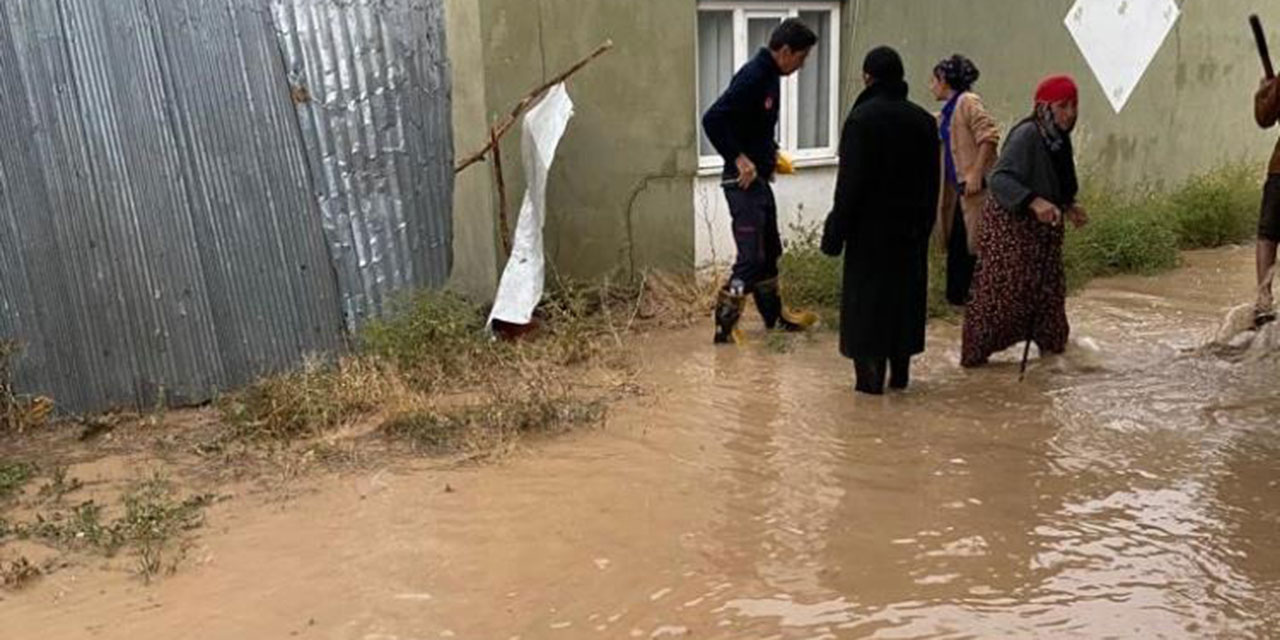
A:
<point x="884" y="212"/>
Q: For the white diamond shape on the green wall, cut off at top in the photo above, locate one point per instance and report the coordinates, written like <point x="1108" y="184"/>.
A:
<point x="1121" y="39"/>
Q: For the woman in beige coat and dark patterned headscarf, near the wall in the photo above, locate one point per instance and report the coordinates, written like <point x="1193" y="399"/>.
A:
<point x="970" y="141"/>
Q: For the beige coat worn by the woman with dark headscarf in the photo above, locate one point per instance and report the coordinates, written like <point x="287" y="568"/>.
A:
<point x="971" y="129"/>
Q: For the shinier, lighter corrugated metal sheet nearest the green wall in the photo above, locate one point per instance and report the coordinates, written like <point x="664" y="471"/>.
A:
<point x="368" y="76"/>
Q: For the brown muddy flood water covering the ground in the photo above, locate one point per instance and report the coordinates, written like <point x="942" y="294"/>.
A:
<point x="1128" y="490"/>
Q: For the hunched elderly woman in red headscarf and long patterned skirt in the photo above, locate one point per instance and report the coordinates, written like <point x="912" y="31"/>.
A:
<point x="1020" y="291"/>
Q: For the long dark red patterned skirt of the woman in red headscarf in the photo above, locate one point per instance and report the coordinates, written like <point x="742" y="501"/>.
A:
<point x="1020" y="290"/>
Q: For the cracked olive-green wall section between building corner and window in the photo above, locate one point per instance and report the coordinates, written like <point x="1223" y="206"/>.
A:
<point x="621" y="191"/>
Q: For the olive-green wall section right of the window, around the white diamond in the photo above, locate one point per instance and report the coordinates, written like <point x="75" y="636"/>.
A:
<point x="1191" y="112"/>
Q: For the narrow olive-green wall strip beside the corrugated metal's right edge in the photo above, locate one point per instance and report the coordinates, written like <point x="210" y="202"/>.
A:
<point x="476" y="254"/>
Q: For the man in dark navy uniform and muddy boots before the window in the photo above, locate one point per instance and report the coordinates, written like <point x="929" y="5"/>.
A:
<point x="742" y="126"/>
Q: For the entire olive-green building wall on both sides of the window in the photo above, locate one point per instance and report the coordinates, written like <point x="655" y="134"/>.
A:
<point x="621" y="191"/>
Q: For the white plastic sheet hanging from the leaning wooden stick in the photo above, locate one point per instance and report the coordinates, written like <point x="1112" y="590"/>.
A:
<point x="522" y="286"/>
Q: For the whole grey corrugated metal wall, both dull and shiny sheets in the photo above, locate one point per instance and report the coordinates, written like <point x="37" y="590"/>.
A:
<point x="176" y="217"/>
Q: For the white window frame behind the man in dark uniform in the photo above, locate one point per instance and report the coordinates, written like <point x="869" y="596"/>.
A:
<point x="790" y="107"/>
